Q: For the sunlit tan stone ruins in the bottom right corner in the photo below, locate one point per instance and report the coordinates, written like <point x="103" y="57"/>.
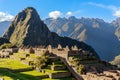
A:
<point x="106" y="75"/>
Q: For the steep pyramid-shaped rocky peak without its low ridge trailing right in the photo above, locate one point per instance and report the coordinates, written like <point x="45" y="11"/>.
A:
<point x="26" y="28"/>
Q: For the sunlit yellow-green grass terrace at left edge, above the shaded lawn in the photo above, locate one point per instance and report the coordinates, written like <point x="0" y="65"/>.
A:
<point x="12" y="64"/>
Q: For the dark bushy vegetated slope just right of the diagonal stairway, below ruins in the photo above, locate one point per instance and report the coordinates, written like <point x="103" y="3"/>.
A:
<point x="80" y="63"/>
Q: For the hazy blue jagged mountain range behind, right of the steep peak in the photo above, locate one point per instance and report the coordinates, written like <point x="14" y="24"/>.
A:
<point x="93" y="31"/>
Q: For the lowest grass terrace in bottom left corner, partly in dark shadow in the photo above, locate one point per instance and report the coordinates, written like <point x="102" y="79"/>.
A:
<point x="8" y="75"/>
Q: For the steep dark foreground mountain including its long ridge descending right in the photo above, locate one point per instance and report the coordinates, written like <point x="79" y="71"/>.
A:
<point x="27" y="29"/>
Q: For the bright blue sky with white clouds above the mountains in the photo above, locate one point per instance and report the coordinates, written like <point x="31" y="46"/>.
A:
<point x="103" y="9"/>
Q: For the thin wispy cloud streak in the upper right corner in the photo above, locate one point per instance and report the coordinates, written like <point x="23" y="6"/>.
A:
<point x="114" y="9"/>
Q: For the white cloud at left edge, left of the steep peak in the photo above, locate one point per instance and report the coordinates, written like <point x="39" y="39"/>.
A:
<point x="5" y="17"/>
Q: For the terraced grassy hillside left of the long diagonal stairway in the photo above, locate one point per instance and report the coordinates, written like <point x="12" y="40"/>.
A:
<point x="20" y="66"/>
